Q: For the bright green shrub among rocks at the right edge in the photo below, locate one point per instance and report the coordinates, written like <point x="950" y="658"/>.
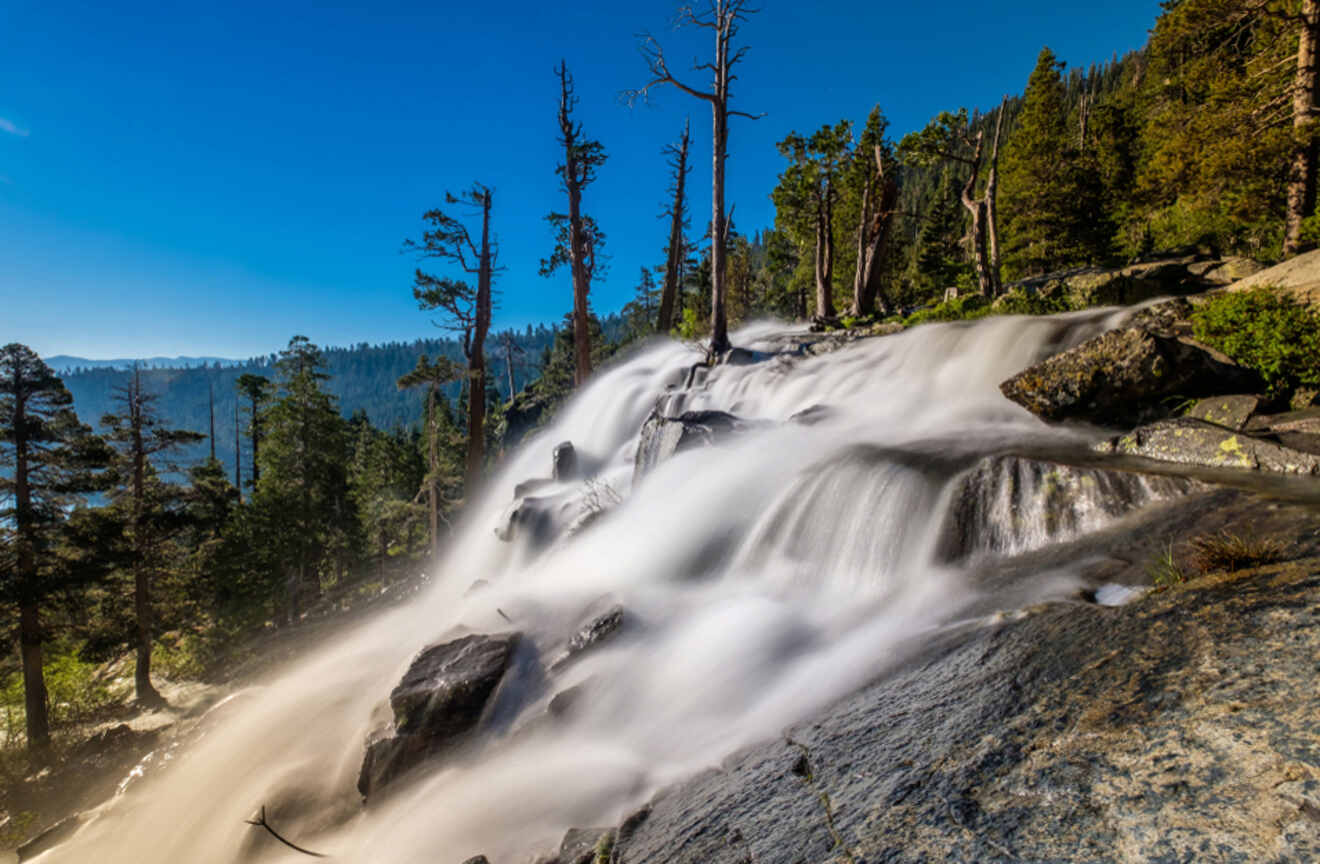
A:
<point x="1267" y="332"/>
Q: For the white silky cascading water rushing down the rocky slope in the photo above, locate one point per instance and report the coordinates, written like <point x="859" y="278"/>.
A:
<point x="764" y="578"/>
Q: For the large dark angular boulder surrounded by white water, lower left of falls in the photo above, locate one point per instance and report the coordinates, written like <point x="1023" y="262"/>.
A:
<point x="440" y="700"/>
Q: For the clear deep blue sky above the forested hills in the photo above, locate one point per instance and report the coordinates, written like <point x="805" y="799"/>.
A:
<point x="211" y="179"/>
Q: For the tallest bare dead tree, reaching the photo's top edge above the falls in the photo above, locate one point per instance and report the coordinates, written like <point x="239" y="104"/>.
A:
<point x="724" y="19"/>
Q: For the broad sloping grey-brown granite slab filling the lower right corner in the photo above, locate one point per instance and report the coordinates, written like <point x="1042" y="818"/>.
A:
<point x="1181" y="727"/>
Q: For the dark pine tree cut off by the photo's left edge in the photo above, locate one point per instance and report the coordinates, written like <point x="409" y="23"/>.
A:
<point x="49" y="460"/>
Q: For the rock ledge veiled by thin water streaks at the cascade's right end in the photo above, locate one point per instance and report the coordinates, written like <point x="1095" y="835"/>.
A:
<point x="1014" y="505"/>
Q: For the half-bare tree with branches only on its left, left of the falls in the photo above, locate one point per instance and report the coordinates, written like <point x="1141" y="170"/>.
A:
<point x="449" y="239"/>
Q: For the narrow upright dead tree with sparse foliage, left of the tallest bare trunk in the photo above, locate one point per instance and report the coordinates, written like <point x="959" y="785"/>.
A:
<point x="577" y="237"/>
